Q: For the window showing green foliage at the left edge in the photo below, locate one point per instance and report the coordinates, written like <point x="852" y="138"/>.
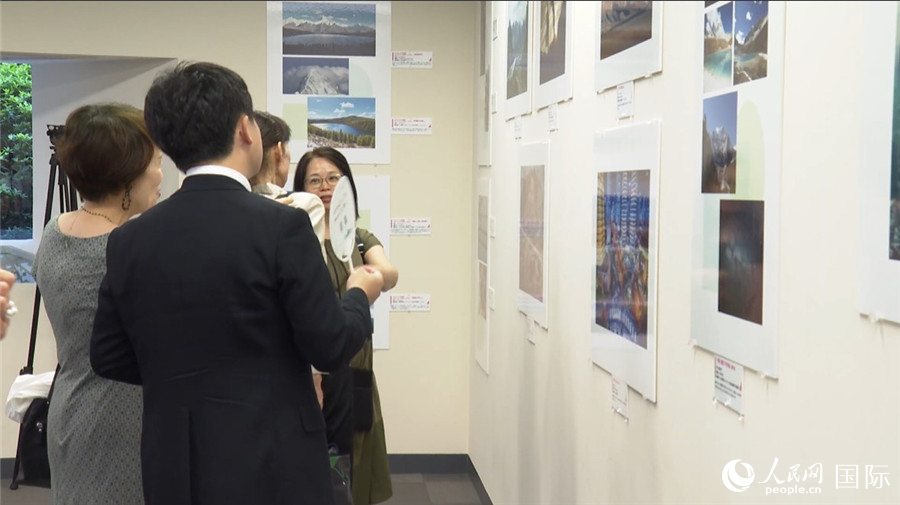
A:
<point x="16" y="203"/>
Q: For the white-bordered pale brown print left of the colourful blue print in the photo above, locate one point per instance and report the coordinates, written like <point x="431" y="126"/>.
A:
<point x="534" y="218"/>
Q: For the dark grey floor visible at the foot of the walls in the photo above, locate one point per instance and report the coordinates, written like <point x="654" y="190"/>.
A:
<point x="409" y="489"/>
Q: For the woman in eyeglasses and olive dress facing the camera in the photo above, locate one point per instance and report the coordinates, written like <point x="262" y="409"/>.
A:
<point x="318" y="172"/>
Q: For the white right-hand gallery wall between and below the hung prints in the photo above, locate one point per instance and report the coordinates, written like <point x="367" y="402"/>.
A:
<point x="542" y="428"/>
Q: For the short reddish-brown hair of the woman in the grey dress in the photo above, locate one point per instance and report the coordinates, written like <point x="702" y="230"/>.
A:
<point x="104" y="149"/>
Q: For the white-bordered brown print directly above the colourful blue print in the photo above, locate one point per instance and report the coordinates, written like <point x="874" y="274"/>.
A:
<point x="628" y="42"/>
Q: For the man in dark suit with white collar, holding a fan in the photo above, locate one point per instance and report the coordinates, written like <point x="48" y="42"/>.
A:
<point x="217" y="301"/>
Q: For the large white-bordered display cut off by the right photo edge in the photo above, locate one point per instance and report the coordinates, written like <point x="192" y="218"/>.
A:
<point x="879" y="180"/>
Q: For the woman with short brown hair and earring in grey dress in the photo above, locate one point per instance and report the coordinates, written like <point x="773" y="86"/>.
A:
<point x="94" y="424"/>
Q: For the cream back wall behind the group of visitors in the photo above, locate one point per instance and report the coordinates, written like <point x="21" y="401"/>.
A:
<point x="423" y="377"/>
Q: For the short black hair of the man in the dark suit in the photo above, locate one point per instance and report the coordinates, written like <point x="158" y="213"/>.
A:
<point x="193" y="109"/>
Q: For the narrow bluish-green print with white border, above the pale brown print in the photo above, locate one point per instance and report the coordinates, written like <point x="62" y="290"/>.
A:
<point x="518" y="69"/>
